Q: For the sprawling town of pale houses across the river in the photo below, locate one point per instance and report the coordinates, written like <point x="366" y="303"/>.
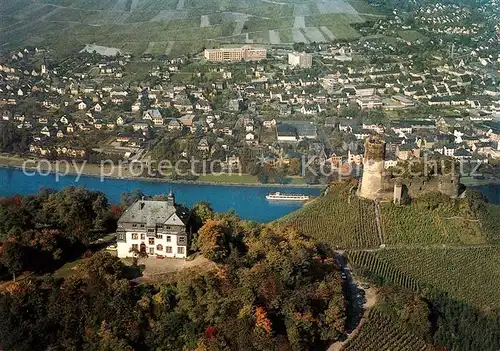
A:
<point x="259" y="110"/>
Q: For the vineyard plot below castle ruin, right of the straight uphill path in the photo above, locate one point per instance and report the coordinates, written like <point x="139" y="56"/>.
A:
<point x="423" y="224"/>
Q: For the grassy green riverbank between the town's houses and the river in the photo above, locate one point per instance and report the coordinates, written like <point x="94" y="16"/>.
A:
<point x="124" y="173"/>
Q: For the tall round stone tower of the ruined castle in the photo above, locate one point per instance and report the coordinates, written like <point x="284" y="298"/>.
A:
<point x="372" y="183"/>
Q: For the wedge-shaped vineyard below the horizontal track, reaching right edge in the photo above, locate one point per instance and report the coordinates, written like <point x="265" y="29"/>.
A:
<point x="470" y="275"/>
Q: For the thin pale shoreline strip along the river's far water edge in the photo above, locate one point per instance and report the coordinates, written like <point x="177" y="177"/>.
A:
<point x="160" y="180"/>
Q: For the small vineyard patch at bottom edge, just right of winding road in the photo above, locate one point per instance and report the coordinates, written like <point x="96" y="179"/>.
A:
<point x="380" y="333"/>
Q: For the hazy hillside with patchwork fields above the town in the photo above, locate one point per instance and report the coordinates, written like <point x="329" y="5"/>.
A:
<point x="176" y="27"/>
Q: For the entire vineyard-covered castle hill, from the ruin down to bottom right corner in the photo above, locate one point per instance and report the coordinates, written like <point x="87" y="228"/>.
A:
<point x="434" y="263"/>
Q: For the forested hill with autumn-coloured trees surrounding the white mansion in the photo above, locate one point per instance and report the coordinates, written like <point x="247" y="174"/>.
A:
<point x="271" y="288"/>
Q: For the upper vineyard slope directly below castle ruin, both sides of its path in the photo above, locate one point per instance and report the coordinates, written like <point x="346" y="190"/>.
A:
<point x="341" y="219"/>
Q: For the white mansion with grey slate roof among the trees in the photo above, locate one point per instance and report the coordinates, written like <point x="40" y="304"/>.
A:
<point x="155" y="228"/>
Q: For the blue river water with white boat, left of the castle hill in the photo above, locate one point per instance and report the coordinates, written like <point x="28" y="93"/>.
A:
<point x="248" y="202"/>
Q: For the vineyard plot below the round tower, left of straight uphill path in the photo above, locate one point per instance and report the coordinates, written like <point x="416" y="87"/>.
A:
<point x="338" y="219"/>
